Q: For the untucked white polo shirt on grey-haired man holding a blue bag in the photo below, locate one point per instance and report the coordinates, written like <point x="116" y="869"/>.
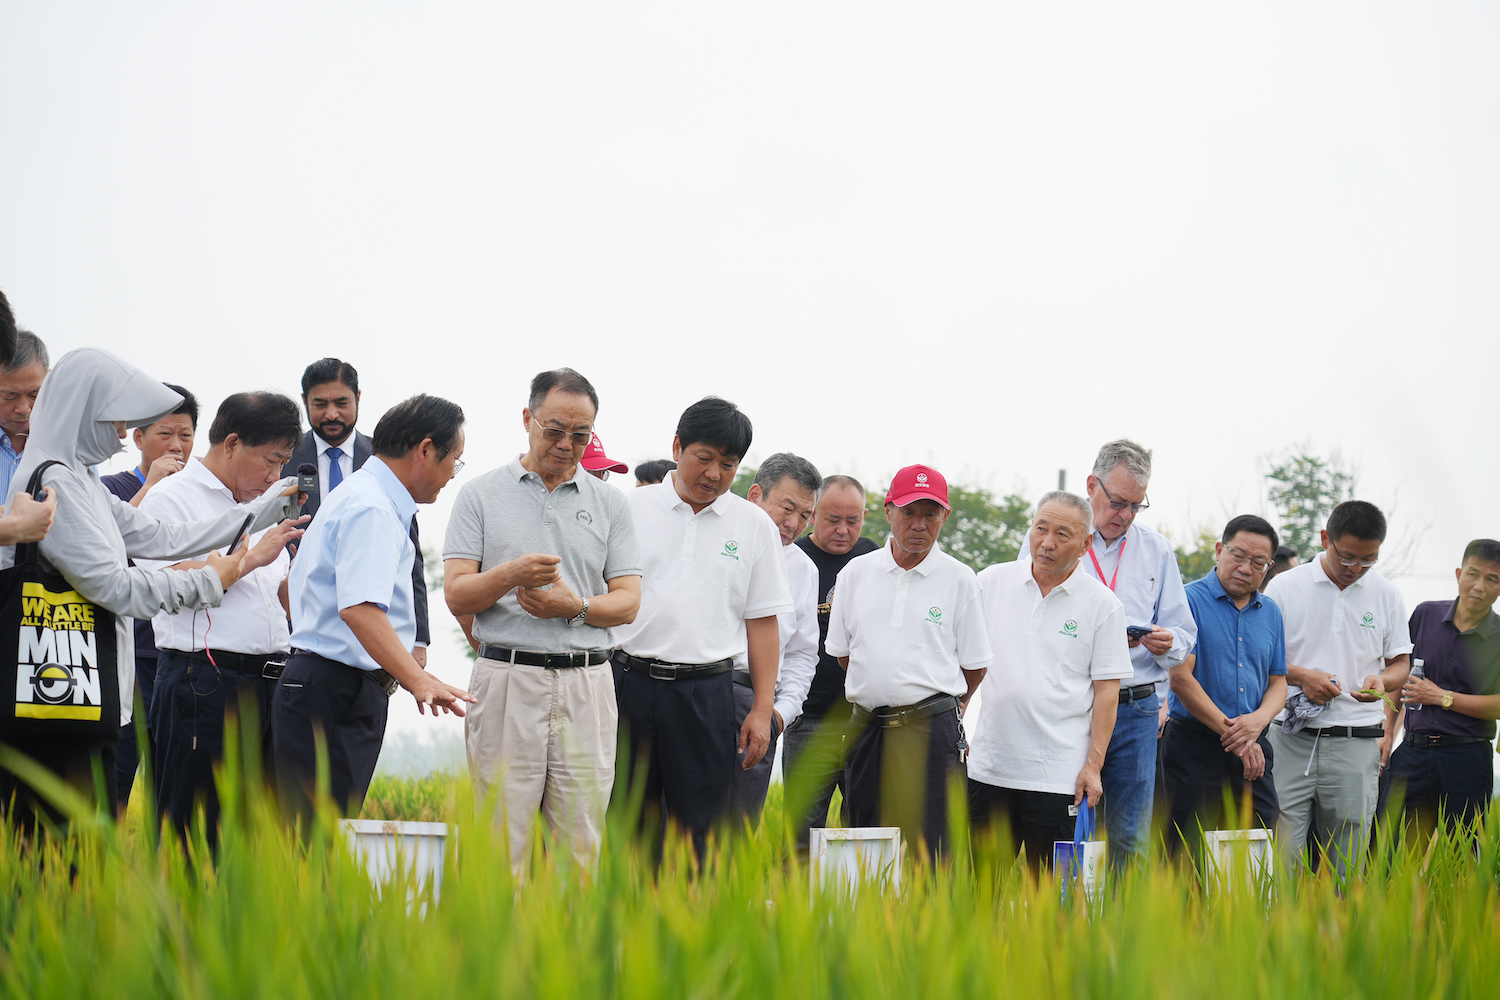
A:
<point x="1037" y="710"/>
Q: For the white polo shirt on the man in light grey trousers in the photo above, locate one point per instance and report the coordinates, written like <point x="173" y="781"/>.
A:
<point x="1349" y="633"/>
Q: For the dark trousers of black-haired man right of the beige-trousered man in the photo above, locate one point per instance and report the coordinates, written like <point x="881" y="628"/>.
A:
<point x="679" y="741"/>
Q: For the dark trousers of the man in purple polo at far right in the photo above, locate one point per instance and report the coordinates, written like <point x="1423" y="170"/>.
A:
<point x="1459" y="780"/>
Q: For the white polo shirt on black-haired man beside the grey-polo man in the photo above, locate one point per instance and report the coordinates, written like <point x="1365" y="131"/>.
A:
<point x="703" y="576"/>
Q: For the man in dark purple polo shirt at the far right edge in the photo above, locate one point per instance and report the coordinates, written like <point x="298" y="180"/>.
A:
<point x="1445" y="761"/>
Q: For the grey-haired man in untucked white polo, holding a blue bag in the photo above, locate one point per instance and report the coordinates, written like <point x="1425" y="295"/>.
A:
<point x="1051" y="701"/>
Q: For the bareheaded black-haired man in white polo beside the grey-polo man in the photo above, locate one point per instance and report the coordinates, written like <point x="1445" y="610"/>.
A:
<point x="713" y="582"/>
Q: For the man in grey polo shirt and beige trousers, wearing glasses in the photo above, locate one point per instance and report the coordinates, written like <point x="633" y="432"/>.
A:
<point x="544" y="557"/>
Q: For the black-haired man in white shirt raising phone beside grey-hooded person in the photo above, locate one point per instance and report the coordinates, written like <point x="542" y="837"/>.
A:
<point x="224" y="663"/>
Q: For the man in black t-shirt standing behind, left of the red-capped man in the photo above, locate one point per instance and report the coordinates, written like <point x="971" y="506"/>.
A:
<point x="814" y="746"/>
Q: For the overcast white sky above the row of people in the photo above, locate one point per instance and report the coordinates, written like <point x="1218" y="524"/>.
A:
<point x="986" y="236"/>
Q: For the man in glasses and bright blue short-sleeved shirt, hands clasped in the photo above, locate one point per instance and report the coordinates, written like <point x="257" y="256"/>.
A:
<point x="1226" y="693"/>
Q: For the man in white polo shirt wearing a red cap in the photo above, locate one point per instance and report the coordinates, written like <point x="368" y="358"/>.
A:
<point x="908" y="627"/>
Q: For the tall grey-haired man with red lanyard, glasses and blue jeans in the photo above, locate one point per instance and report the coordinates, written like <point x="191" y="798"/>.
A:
<point x="1141" y="567"/>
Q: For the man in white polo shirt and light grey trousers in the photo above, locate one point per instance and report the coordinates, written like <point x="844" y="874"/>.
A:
<point x="1348" y="645"/>
